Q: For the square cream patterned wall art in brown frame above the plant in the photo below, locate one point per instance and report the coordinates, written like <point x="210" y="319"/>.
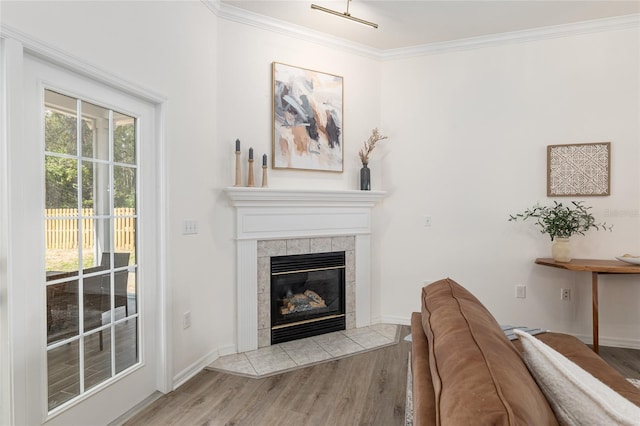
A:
<point x="579" y="169"/>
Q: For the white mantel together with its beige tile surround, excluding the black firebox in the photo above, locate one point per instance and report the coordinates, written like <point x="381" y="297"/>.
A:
<point x="273" y="222"/>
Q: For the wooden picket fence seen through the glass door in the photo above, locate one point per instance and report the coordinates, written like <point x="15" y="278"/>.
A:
<point x="61" y="228"/>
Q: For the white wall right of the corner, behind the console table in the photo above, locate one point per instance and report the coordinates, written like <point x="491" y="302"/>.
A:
<point x="469" y="133"/>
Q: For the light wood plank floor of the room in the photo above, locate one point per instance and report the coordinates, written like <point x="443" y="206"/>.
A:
<point x="366" y="389"/>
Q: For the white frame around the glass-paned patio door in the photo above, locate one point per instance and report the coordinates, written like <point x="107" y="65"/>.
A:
<point x="14" y="403"/>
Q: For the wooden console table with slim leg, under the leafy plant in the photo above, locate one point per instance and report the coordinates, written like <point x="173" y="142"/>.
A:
<point x="596" y="267"/>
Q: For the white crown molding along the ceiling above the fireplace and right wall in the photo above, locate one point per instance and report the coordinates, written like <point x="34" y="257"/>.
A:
<point x="225" y="11"/>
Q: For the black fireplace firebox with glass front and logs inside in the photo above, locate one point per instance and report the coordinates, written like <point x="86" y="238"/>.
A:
<point x="307" y="295"/>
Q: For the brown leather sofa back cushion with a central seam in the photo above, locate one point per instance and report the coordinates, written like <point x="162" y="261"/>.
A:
<point x="478" y="375"/>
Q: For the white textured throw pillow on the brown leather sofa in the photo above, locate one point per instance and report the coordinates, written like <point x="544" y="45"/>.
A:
<point x="576" y="397"/>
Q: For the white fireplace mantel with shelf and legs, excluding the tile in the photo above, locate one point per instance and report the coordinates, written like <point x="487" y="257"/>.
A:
<point x="266" y="214"/>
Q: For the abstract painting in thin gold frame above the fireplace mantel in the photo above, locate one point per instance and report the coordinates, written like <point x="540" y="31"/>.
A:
<point x="307" y="119"/>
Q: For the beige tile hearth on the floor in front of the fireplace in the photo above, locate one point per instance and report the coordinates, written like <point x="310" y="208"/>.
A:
<point x="295" y="354"/>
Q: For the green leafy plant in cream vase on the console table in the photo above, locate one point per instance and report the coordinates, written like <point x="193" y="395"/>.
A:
<point x="561" y="222"/>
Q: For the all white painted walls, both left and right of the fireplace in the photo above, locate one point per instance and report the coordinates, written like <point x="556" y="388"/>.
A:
<point x="467" y="131"/>
